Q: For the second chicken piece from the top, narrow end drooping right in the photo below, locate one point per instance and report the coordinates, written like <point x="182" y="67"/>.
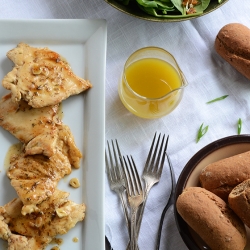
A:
<point x="41" y="129"/>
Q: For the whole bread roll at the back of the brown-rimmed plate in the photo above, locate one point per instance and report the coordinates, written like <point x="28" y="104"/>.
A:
<point x="222" y="176"/>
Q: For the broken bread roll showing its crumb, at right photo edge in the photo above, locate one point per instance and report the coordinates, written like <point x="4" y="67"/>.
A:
<point x="239" y="201"/>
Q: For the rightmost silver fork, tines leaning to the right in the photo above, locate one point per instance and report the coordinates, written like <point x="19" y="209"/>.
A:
<point x="152" y="170"/>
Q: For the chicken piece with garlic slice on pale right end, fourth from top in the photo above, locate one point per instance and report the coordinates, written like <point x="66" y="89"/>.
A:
<point x="55" y="219"/>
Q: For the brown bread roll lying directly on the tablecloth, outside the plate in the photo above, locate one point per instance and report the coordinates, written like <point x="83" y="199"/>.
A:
<point x="233" y="44"/>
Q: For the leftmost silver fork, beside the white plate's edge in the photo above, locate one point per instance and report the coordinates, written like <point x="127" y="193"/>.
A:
<point x="115" y="174"/>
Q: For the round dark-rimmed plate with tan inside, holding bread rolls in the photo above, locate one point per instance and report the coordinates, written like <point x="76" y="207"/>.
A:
<point x="189" y="176"/>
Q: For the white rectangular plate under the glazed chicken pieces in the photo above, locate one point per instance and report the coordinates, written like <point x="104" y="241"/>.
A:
<point x="83" y="44"/>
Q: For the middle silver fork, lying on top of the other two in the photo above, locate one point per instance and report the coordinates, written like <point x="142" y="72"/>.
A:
<point x="135" y="197"/>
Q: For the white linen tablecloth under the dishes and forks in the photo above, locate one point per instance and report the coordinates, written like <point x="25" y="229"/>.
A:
<point x="209" y="77"/>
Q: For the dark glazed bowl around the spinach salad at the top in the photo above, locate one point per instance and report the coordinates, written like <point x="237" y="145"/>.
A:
<point x="133" y="10"/>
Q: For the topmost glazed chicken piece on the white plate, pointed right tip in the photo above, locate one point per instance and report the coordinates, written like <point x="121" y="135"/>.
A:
<point x="41" y="77"/>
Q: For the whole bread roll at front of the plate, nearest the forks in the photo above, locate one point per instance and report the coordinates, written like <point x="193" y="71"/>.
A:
<point x="212" y="219"/>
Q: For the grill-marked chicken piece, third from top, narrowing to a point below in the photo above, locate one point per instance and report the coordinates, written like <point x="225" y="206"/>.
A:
<point x="35" y="177"/>
